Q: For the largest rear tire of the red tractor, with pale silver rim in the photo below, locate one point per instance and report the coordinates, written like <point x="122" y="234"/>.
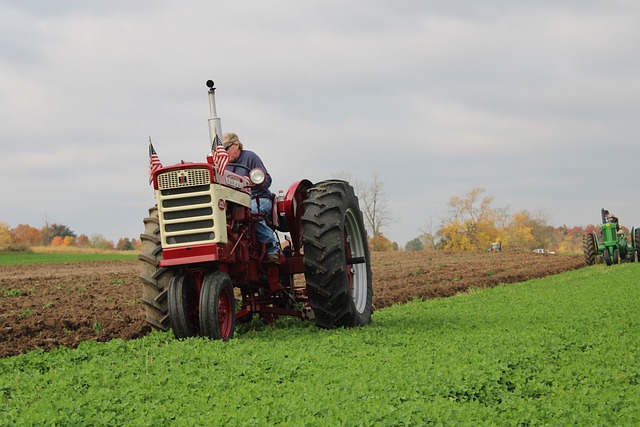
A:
<point x="336" y="256"/>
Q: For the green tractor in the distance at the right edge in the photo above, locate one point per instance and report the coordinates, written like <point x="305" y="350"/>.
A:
<point x="615" y="247"/>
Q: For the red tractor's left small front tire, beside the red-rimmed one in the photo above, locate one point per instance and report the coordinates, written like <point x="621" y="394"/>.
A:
<point x="183" y="307"/>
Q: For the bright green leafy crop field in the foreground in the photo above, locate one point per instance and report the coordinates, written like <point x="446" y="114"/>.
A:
<point x="556" y="351"/>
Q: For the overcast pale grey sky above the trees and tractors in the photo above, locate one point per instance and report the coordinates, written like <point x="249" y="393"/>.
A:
<point x="537" y="102"/>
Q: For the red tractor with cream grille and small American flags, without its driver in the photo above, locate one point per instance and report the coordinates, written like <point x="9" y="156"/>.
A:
<point x="202" y="265"/>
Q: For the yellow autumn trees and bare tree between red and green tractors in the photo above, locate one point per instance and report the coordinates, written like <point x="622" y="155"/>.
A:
<point x="471" y="223"/>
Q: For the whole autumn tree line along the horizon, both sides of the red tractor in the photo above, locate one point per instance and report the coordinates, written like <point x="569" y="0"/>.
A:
<point x="472" y="223"/>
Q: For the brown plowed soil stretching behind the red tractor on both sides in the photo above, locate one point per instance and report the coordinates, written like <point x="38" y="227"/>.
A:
<point x="52" y="305"/>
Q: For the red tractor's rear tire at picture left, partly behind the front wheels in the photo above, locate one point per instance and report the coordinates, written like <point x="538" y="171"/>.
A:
<point x="155" y="279"/>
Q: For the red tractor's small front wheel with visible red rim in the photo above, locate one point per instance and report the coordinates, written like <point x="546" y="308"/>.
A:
<point x="217" y="307"/>
